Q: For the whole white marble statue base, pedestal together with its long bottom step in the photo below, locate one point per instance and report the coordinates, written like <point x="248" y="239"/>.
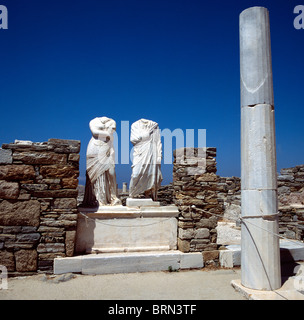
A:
<point x="122" y="239"/>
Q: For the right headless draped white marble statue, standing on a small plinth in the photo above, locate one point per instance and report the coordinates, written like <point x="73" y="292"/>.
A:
<point x="146" y="174"/>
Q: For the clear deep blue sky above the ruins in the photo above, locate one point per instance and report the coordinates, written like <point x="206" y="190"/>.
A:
<point x="172" y="61"/>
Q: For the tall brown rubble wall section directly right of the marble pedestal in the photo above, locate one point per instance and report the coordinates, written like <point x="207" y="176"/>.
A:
<point x="196" y="195"/>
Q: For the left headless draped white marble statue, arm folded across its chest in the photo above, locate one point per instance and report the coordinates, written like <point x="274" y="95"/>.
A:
<point x="101" y="187"/>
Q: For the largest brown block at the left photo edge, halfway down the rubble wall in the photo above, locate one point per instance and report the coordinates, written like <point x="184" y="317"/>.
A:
<point x="24" y="213"/>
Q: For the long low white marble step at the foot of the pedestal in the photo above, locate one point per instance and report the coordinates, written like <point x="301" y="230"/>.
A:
<point x="128" y="262"/>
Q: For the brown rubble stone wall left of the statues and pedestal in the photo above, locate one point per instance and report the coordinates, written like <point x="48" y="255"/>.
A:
<point x="38" y="207"/>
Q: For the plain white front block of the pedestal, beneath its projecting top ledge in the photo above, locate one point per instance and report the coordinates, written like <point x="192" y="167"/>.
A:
<point x="125" y="234"/>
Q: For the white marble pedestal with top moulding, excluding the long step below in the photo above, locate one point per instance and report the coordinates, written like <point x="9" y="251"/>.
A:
<point x="126" y="229"/>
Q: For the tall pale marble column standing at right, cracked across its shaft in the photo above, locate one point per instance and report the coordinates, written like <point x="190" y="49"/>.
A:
<point x="260" y="259"/>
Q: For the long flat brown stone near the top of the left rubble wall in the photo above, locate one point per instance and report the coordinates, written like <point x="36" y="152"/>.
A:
<point x="32" y="157"/>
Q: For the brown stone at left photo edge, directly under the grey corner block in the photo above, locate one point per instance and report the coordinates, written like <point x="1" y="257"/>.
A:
<point x="16" y="172"/>
